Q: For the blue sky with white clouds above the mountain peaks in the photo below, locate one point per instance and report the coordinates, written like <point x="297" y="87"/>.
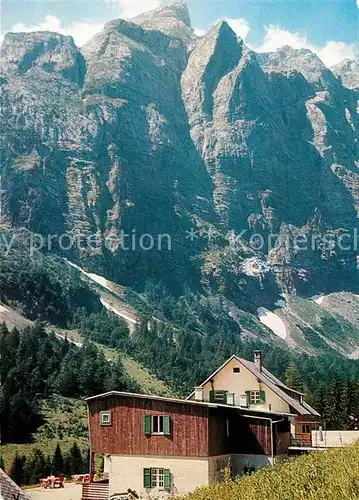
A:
<point x="328" y="27"/>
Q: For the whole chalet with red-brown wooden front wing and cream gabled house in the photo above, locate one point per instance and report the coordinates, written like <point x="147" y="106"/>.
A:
<point x="238" y="420"/>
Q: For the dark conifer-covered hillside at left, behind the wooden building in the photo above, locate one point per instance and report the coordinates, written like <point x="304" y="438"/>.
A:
<point x="35" y="364"/>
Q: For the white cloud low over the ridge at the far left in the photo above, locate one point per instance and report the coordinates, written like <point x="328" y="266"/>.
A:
<point x="81" y="31"/>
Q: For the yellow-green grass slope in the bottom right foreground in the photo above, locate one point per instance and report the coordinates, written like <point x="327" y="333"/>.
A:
<point x="322" y="475"/>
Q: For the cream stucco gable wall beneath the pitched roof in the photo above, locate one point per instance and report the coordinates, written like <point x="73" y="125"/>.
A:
<point x="239" y="383"/>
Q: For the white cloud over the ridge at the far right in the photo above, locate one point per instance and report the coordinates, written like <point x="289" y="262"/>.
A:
<point x="332" y="53"/>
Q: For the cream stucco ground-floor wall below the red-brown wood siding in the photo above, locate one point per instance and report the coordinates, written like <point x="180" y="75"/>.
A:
<point x="126" y="471"/>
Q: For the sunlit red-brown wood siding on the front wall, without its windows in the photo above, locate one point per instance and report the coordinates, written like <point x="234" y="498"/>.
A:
<point x="189" y="427"/>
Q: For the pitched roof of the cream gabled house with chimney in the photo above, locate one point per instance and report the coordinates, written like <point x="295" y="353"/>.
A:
<point x="272" y="382"/>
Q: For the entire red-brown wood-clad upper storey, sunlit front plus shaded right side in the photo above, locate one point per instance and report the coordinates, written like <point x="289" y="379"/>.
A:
<point x="196" y="431"/>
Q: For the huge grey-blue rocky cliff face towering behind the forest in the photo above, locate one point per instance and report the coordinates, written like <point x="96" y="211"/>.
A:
<point x="148" y="129"/>
